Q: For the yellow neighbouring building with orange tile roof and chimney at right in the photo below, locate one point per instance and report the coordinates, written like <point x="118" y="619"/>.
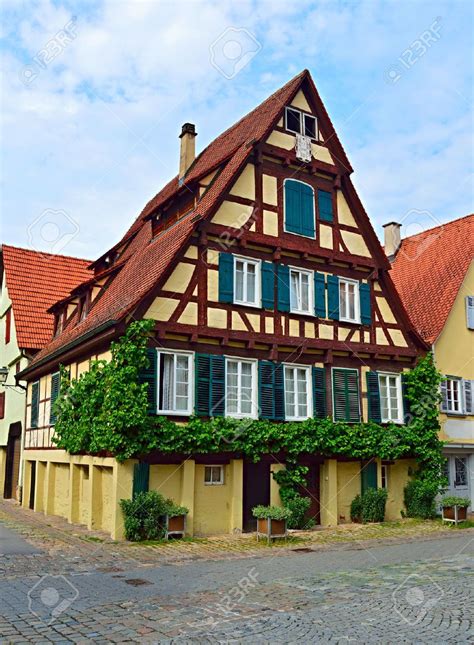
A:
<point x="434" y="275"/>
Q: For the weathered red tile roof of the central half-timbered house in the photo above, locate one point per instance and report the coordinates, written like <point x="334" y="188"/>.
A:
<point x="147" y="259"/>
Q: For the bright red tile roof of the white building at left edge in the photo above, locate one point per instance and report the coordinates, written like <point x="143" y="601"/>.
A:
<point x="35" y="281"/>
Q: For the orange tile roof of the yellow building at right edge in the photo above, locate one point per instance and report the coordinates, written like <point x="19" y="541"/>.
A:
<point x="428" y="271"/>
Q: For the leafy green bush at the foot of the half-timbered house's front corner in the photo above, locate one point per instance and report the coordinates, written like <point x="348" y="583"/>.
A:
<point x="144" y="516"/>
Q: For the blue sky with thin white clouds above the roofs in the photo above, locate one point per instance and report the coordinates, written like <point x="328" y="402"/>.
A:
<point x="94" y="95"/>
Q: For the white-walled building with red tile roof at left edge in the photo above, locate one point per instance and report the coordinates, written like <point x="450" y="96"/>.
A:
<point x="31" y="283"/>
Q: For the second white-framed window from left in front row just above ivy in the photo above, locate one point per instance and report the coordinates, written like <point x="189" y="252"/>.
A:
<point x="241" y="388"/>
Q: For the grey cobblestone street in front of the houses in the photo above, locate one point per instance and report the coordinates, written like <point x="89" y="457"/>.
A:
<point x="77" y="589"/>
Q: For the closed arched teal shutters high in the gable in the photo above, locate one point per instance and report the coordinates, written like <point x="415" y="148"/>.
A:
<point x="299" y="208"/>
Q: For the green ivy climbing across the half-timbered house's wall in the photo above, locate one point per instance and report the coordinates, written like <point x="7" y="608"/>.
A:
<point x="105" y="412"/>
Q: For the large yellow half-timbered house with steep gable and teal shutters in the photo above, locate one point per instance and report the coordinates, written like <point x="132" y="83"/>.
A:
<point x="272" y="299"/>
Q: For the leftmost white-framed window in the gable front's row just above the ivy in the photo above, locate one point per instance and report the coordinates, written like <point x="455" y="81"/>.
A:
<point x="175" y="378"/>
